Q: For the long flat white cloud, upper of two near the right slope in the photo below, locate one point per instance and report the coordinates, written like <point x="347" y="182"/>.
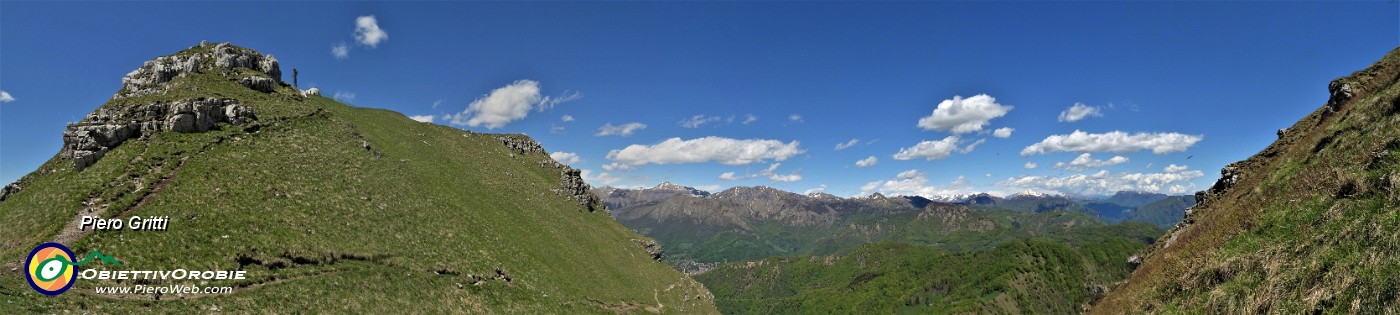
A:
<point x="1114" y="142"/>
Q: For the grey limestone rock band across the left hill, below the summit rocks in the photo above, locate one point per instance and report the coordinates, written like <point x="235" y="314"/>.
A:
<point x="100" y="132"/>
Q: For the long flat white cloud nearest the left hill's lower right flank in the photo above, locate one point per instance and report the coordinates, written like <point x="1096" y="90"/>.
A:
<point x="723" y="150"/>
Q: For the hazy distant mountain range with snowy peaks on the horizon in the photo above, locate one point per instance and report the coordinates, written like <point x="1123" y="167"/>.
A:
<point x="748" y="223"/>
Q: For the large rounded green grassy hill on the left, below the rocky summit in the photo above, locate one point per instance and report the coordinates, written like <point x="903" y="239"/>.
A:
<point x="334" y="209"/>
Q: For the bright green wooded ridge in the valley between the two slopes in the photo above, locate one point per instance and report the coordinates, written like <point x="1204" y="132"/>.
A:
<point x="1045" y="275"/>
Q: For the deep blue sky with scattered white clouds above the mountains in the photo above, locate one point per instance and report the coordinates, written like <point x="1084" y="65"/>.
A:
<point x="1170" y="92"/>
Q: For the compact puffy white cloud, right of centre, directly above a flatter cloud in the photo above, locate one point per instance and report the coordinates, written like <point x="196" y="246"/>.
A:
<point x="960" y="115"/>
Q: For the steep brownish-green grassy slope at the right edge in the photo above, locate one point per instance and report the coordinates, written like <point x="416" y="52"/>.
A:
<point x="1307" y="226"/>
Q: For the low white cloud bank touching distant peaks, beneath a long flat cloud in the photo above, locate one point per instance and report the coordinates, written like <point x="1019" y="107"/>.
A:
<point x="1105" y="183"/>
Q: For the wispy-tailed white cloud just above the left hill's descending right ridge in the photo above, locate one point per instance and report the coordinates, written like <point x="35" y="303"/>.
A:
<point x="507" y="104"/>
